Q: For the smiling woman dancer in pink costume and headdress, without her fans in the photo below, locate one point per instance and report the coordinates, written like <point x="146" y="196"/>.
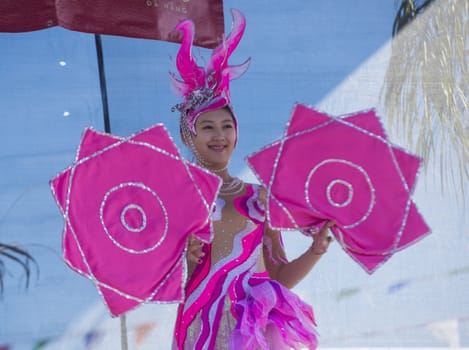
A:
<point x="237" y="293"/>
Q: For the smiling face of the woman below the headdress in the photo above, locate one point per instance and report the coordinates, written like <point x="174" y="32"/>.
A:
<point x="216" y="137"/>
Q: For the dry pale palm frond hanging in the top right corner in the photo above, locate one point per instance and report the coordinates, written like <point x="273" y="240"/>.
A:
<point x="426" y="89"/>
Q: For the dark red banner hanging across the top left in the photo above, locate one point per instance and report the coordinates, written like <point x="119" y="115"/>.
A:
<point x="149" y="19"/>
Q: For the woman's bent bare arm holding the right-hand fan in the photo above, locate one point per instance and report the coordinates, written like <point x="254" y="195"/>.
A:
<point x="291" y="273"/>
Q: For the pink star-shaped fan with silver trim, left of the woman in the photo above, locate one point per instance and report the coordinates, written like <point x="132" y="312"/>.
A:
<point x="129" y="205"/>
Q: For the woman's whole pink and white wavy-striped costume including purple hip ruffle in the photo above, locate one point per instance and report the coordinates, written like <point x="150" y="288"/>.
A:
<point x="232" y="304"/>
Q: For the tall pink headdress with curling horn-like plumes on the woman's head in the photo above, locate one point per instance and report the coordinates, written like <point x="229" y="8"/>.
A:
<point x="206" y="89"/>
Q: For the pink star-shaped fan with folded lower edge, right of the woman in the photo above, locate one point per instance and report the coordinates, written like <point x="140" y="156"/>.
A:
<point x="342" y="168"/>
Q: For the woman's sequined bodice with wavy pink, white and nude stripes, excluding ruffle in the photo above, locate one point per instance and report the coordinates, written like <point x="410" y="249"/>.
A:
<point x="233" y="257"/>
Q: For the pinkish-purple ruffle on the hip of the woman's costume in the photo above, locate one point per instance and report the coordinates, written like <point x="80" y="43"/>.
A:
<point x="272" y="317"/>
